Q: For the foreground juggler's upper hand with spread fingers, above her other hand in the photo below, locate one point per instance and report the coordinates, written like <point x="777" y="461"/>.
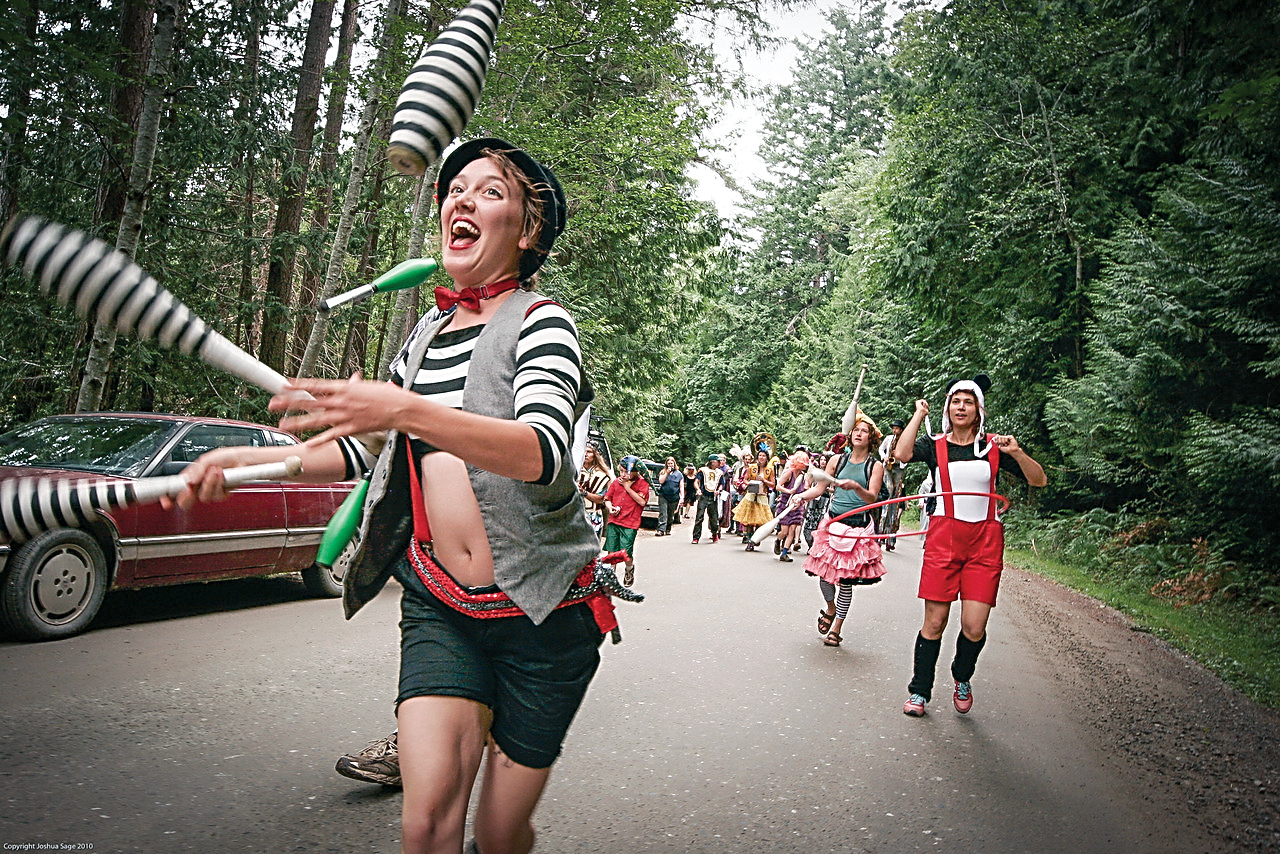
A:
<point x="348" y="408"/>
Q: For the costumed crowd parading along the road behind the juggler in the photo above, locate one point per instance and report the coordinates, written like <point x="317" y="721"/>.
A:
<point x="843" y="506"/>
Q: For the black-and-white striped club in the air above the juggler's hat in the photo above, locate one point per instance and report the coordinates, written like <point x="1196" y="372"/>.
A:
<point x="442" y="92"/>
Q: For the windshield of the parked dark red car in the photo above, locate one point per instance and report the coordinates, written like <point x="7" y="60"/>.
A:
<point x="103" y="446"/>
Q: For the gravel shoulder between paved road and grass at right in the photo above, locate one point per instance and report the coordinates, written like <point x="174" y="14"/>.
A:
<point x="1203" y="751"/>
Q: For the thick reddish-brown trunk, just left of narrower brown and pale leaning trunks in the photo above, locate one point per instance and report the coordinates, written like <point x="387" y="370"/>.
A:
<point x="289" y="214"/>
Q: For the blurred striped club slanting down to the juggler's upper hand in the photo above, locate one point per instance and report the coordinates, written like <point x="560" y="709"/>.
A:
<point x="107" y="287"/>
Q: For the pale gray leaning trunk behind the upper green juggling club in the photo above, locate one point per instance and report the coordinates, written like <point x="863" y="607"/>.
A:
<point x="355" y="184"/>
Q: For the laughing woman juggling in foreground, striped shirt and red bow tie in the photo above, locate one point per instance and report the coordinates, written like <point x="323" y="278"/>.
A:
<point x="473" y="508"/>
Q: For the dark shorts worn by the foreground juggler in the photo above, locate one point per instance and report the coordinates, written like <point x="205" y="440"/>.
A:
<point x="533" y="678"/>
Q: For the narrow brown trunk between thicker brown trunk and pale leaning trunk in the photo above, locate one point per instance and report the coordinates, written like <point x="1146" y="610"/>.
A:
<point x="340" y="76"/>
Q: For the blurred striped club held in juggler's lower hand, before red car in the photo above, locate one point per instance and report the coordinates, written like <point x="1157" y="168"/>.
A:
<point x="33" y="505"/>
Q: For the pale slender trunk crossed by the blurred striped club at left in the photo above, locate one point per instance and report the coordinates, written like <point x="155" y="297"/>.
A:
<point x="168" y="13"/>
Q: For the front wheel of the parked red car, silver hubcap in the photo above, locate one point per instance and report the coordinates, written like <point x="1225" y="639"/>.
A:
<point x="54" y="587"/>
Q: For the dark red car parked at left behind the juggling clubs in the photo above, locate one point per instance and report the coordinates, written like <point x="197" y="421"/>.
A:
<point x="54" y="584"/>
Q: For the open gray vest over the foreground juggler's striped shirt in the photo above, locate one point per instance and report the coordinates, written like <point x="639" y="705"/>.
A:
<point x="538" y="535"/>
